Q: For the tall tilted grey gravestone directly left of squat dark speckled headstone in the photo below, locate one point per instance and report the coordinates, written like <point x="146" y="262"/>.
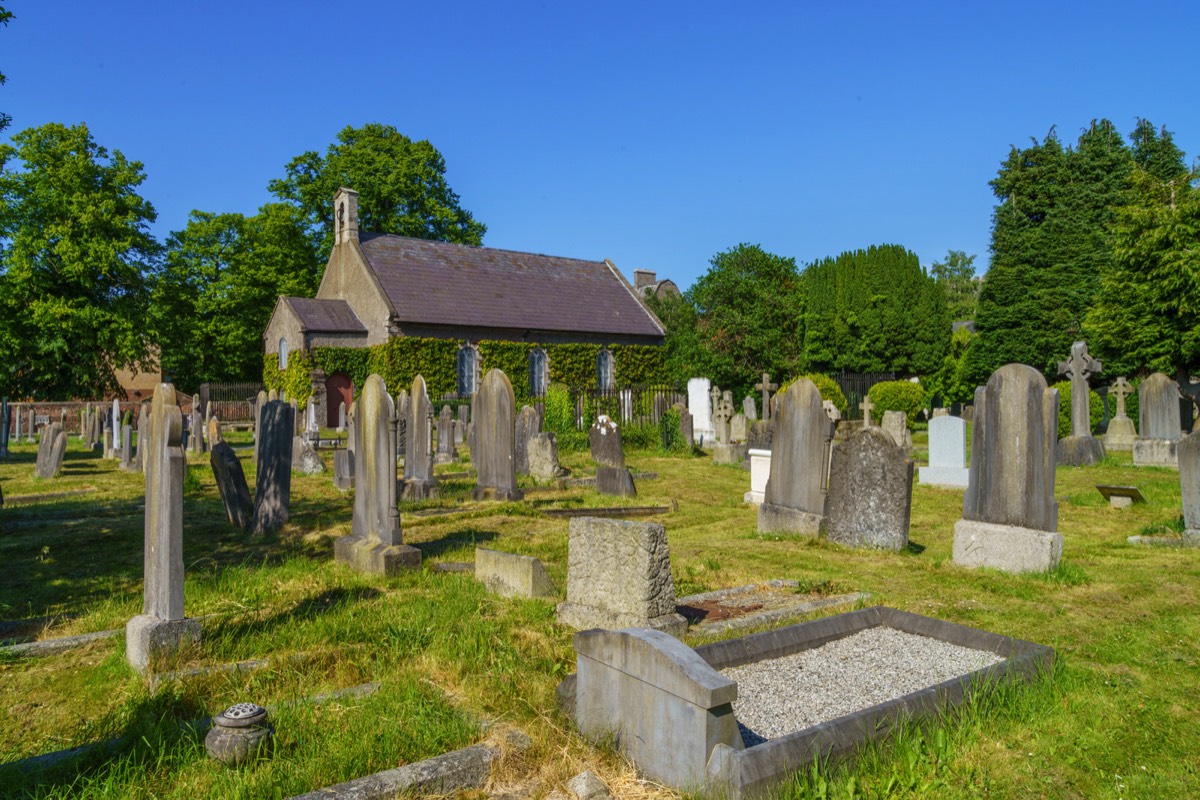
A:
<point x="795" y="498"/>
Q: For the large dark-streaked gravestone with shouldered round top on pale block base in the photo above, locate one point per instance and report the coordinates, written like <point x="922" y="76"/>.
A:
<point x="1010" y="515"/>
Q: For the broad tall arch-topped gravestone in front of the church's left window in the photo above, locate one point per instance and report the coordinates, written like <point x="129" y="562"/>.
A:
<point x="495" y="446"/>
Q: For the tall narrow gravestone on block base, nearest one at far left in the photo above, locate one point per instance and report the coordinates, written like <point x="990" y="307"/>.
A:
<point x="163" y="630"/>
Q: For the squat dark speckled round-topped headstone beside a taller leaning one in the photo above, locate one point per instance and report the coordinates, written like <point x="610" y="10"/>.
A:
<point x="871" y="492"/>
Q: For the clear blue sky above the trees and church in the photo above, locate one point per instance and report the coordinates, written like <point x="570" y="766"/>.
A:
<point x="652" y="134"/>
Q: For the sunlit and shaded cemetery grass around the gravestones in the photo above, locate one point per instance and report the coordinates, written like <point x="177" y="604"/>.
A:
<point x="1117" y="718"/>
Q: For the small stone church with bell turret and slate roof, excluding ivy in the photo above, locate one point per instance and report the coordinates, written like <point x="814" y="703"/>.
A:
<point x="377" y="287"/>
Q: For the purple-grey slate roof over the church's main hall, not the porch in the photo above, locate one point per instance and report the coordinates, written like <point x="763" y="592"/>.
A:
<point x="440" y="284"/>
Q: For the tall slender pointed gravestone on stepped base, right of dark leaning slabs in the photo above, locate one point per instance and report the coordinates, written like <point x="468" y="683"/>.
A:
<point x="375" y="544"/>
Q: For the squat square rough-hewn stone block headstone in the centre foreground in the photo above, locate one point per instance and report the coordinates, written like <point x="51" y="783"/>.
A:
<point x="619" y="575"/>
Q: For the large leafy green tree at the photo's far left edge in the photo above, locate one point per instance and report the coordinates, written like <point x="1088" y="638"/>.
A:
<point x="75" y="256"/>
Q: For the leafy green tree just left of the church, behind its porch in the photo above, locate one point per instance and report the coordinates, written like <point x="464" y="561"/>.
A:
<point x="224" y="274"/>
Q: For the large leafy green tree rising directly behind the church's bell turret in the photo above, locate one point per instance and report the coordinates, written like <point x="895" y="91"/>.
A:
<point x="401" y="184"/>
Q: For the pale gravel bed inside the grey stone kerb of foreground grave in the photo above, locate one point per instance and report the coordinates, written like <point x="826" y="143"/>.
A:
<point x="782" y="696"/>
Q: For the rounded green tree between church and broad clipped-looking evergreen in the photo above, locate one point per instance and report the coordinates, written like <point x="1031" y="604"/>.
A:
<point x="748" y="316"/>
